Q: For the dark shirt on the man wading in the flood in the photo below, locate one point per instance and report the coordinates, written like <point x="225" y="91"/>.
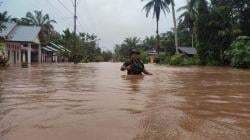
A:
<point x="137" y="66"/>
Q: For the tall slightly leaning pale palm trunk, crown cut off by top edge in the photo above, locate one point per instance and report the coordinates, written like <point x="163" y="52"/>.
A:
<point x="175" y="24"/>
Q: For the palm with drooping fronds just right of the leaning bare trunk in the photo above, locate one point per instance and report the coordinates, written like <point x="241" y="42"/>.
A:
<point x="189" y="15"/>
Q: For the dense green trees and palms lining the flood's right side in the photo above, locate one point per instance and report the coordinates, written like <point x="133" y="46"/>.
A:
<point x="219" y="30"/>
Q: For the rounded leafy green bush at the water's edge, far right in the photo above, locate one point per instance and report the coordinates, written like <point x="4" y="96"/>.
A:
<point x="239" y="53"/>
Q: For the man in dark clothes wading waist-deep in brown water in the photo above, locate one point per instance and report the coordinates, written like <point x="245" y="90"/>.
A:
<point x="134" y="66"/>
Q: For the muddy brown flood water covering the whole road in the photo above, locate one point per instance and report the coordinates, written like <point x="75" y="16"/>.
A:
<point x="99" y="102"/>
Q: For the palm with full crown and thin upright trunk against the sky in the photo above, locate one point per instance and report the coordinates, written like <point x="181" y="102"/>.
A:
<point x="157" y="6"/>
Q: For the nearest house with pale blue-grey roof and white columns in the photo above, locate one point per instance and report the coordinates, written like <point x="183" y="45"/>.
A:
<point x="22" y="43"/>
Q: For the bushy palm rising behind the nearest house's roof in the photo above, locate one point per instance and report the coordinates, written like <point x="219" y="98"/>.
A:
<point x="39" y="19"/>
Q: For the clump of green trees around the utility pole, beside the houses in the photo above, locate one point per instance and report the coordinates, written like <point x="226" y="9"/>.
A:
<point x="85" y="50"/>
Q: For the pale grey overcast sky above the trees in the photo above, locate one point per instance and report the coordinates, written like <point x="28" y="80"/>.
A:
<point x="110" y="20"/>
